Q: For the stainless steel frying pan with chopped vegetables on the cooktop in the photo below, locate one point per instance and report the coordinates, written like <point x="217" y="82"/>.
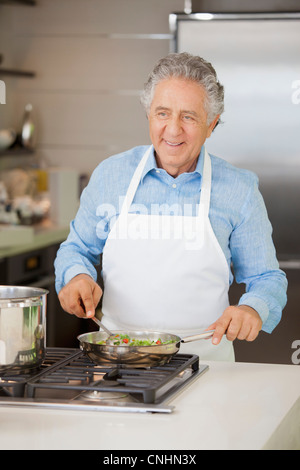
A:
<point x="134" y="356"/>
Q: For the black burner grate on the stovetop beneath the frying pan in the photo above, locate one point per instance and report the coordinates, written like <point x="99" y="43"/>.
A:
<point x="78" y="373"/>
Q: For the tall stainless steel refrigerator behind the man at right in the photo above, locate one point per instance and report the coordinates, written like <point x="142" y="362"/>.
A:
<point x="256" y="56"/>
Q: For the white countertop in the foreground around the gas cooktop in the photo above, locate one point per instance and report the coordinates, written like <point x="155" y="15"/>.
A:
<point x="231" y="406"/>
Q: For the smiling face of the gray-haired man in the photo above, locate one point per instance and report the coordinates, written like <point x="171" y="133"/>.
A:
<point x="178" y="124"/>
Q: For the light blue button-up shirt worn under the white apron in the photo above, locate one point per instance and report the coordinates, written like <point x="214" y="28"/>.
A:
<point x="237" y="214"/>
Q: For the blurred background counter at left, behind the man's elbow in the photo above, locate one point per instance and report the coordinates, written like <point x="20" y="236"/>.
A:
<point x="44" y="234"/>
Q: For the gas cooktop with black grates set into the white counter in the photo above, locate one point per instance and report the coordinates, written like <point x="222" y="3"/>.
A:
<point x="68" y="379"/>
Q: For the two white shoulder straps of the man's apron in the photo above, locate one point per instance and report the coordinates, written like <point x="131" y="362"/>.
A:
<point x="205" y="185"/>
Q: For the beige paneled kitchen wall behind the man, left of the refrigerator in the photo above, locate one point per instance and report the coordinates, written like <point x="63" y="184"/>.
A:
<point x="91" y="58"/>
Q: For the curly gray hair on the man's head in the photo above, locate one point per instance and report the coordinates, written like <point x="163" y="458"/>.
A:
<point x="189" y="67"/>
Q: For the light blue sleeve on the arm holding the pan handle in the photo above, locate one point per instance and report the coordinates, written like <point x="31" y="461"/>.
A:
<point x="255" y="263"/>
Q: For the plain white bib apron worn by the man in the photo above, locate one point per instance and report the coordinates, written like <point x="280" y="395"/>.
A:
<point x="166" y="273"/>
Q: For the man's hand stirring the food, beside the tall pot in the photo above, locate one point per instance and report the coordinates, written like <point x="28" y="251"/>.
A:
<point x="80" y="296"/>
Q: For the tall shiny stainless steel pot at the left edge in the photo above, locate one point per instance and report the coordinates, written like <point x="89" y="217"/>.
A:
<point x="22" y="327"/>
